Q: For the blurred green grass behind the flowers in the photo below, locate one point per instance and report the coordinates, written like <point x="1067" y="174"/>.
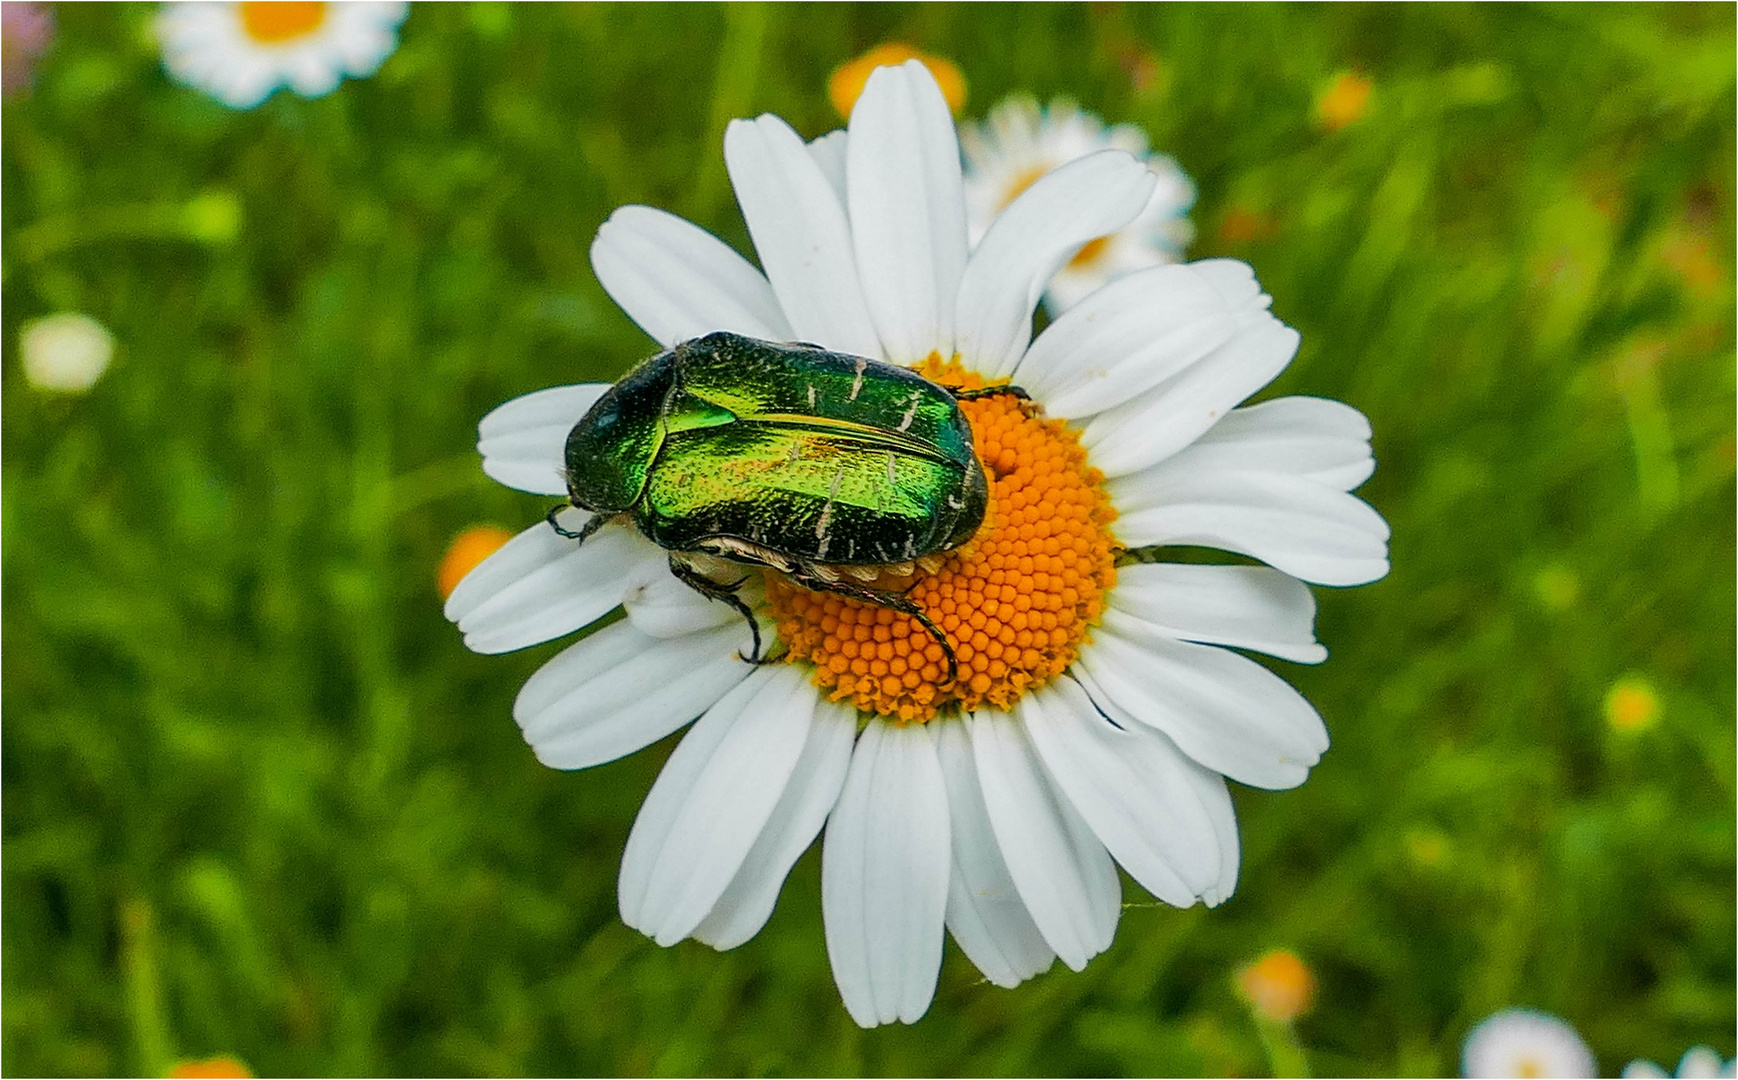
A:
<point x="258" y="799"/>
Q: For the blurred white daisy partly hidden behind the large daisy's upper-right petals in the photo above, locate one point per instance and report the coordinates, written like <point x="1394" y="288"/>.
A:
<point x="1019" y="143"/>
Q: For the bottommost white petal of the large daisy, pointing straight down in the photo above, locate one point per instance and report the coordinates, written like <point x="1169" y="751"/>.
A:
<point x="884" y="876"/>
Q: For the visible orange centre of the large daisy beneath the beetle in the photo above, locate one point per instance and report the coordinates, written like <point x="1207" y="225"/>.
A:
<point x="1016" y="601"/>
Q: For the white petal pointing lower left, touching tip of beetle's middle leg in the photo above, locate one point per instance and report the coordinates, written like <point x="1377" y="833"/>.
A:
<point x="618" y="691"/>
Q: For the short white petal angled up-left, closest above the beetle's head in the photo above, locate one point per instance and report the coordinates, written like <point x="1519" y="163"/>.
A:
<point x="677" y="281"/>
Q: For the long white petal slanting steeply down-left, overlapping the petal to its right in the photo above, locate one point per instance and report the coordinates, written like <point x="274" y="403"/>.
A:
<point x="712" y="801"/>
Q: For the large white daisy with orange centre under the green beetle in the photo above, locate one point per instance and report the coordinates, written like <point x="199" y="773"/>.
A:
<point x="1099" y="707"/>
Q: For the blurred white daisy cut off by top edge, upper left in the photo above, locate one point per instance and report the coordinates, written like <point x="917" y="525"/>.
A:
<point x="241" y="53"/>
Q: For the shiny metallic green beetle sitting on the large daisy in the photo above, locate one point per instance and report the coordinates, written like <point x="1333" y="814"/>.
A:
<point x="819" y="465"/>
